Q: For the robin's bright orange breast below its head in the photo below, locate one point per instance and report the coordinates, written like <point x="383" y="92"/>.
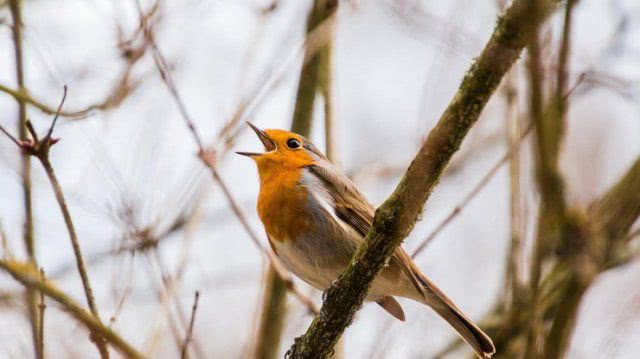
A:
<point x="281" y="204"/>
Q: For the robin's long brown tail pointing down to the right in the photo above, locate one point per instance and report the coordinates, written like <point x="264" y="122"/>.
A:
<point x="474" y="336"/>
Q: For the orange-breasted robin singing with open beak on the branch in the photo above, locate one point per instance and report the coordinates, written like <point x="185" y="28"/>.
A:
<point x="315" y="218"/>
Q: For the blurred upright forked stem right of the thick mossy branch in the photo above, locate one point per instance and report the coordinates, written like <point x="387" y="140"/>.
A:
<point x="555" y="225"/>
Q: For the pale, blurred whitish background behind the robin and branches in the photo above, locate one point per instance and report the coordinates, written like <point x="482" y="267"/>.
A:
<point x="154" y="227"/>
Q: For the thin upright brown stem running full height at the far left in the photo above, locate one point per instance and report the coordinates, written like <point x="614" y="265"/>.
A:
<point x="15" y="7"/>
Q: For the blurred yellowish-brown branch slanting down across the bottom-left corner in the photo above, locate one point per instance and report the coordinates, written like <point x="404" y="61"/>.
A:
<point x="29" y="277"/>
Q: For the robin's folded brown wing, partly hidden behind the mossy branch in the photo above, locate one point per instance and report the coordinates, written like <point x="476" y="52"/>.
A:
<point x="354" y="209"/>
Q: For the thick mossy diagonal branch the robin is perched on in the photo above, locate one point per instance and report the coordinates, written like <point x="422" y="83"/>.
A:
<point x="396" y="217"/>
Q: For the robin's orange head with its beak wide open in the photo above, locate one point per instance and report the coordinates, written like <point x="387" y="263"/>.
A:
<point x="282" y="150"/>
